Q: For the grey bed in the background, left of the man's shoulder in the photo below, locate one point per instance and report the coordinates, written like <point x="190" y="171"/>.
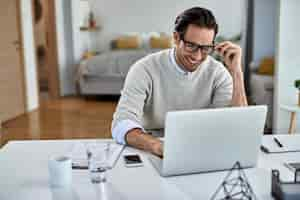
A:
<point x="105" y="74"/>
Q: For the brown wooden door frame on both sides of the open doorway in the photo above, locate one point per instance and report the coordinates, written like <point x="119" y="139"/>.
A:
<point x="52" y="51"/>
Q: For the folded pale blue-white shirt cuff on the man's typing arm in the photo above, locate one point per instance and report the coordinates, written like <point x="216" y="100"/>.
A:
<point x="120" y="130"/>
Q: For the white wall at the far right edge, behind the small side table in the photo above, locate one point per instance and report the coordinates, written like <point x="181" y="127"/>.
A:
<point x="287" y="62"/>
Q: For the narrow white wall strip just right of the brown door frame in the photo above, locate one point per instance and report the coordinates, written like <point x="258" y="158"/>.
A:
<point x="65" y="50"/>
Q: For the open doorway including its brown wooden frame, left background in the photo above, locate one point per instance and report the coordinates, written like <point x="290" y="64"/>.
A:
<point x="46" y="47"/>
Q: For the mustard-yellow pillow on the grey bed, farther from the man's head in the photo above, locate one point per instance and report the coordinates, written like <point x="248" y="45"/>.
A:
<point x="128" y="42"/>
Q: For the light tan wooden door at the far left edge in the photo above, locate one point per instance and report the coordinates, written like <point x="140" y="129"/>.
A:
<point x="12" y="88"/>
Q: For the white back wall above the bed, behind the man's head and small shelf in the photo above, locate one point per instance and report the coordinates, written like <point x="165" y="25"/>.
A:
<point x="140" y="16"/>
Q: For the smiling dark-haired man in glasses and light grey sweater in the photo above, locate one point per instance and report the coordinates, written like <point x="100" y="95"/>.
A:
<point x="182" y="78"/>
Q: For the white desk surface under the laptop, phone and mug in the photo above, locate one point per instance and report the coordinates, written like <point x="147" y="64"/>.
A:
<point x="24" y="175"/>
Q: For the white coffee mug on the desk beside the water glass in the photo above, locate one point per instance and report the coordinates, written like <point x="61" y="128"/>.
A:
<point x="60" y="171"/>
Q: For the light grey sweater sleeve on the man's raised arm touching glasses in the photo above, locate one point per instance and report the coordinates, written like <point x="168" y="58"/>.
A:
<point x="223" y="89"/>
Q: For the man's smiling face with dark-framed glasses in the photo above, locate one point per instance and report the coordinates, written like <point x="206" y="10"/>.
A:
<point x="187" y="53"/>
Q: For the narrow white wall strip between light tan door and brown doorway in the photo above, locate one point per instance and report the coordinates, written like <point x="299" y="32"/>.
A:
<point x="29" y="56"/>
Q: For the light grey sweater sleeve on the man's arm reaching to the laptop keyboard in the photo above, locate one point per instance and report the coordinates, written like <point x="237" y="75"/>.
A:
<point x="135" y="93"/>
